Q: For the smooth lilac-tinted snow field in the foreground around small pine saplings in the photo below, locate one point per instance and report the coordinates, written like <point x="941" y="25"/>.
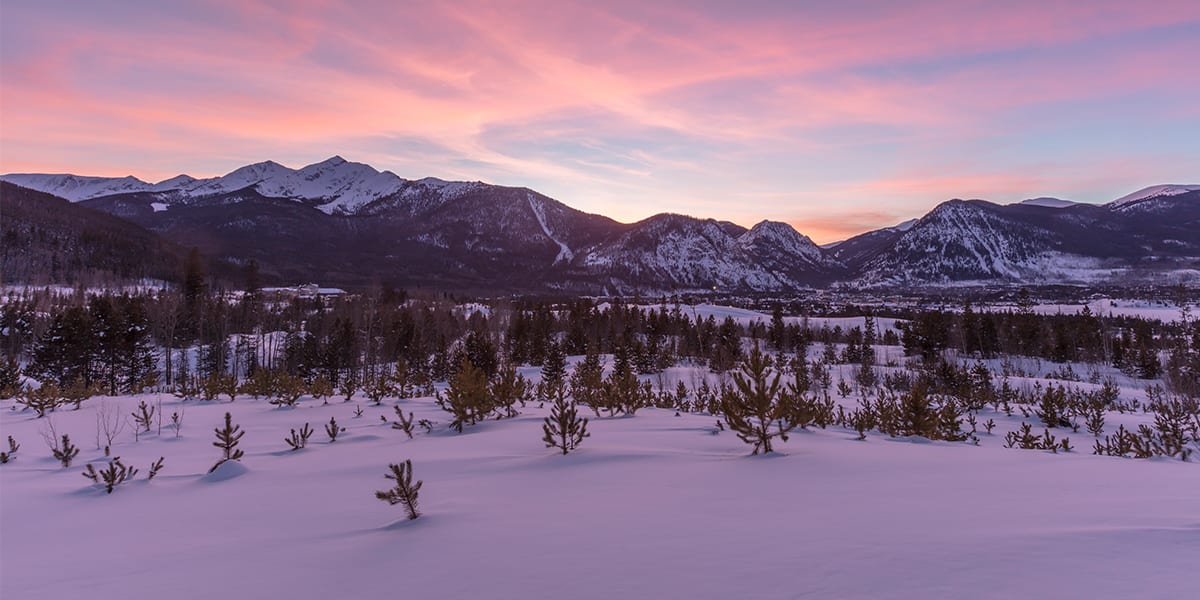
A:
<point x="655" y="506"/>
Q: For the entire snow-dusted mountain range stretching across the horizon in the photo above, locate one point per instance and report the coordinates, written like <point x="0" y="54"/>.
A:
<point x="346" y="224"/>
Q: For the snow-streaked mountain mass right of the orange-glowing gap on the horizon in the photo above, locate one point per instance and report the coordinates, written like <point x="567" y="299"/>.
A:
<point x="981" y="242"/>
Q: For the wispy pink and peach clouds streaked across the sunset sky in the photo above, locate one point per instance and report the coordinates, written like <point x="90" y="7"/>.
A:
<point x="160" y="87"/>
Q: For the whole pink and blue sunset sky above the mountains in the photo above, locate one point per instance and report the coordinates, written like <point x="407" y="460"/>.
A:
<point x="837" y="118"/>
